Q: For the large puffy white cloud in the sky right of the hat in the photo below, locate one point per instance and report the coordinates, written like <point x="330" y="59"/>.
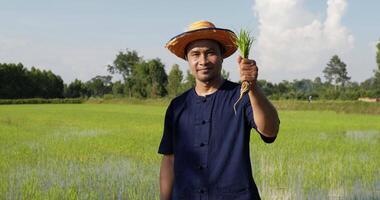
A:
<point x="295" y="43"/>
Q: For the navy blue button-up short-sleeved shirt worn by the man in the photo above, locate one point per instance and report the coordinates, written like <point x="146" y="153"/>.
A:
<point x="210" y="144"/>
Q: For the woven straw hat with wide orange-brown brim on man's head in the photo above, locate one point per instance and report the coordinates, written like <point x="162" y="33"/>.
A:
<point x="203" y="30"/>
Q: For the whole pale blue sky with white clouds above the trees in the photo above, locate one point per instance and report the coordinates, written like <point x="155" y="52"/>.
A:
<point x="294" y="39"/>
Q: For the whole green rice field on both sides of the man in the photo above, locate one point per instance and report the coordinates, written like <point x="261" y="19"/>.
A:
<point x="109" y="151"/>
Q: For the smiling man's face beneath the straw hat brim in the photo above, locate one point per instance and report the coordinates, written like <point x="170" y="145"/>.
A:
<point x="205" y="60"/>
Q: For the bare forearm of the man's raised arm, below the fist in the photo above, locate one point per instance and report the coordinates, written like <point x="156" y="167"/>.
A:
<point x="265" y="114"/>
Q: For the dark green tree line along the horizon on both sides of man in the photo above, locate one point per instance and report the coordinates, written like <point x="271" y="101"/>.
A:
<point x="148" y="79"/>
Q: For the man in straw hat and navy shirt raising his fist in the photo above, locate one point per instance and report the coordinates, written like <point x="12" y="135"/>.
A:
<point x="205" y="145"/>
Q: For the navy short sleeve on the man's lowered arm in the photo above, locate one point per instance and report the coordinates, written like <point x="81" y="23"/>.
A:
<point x="166" y="145"/>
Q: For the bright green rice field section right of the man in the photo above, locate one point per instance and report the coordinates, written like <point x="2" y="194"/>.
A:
<point x="320" y="155"/>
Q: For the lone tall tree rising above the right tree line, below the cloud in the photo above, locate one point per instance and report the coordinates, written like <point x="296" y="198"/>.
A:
<point x="336" y="71"/>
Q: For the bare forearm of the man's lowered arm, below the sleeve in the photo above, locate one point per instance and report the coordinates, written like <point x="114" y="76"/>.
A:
<point x="166" y="177"/>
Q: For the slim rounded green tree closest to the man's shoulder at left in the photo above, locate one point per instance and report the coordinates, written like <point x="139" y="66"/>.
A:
<point x="175" y="81"/>
